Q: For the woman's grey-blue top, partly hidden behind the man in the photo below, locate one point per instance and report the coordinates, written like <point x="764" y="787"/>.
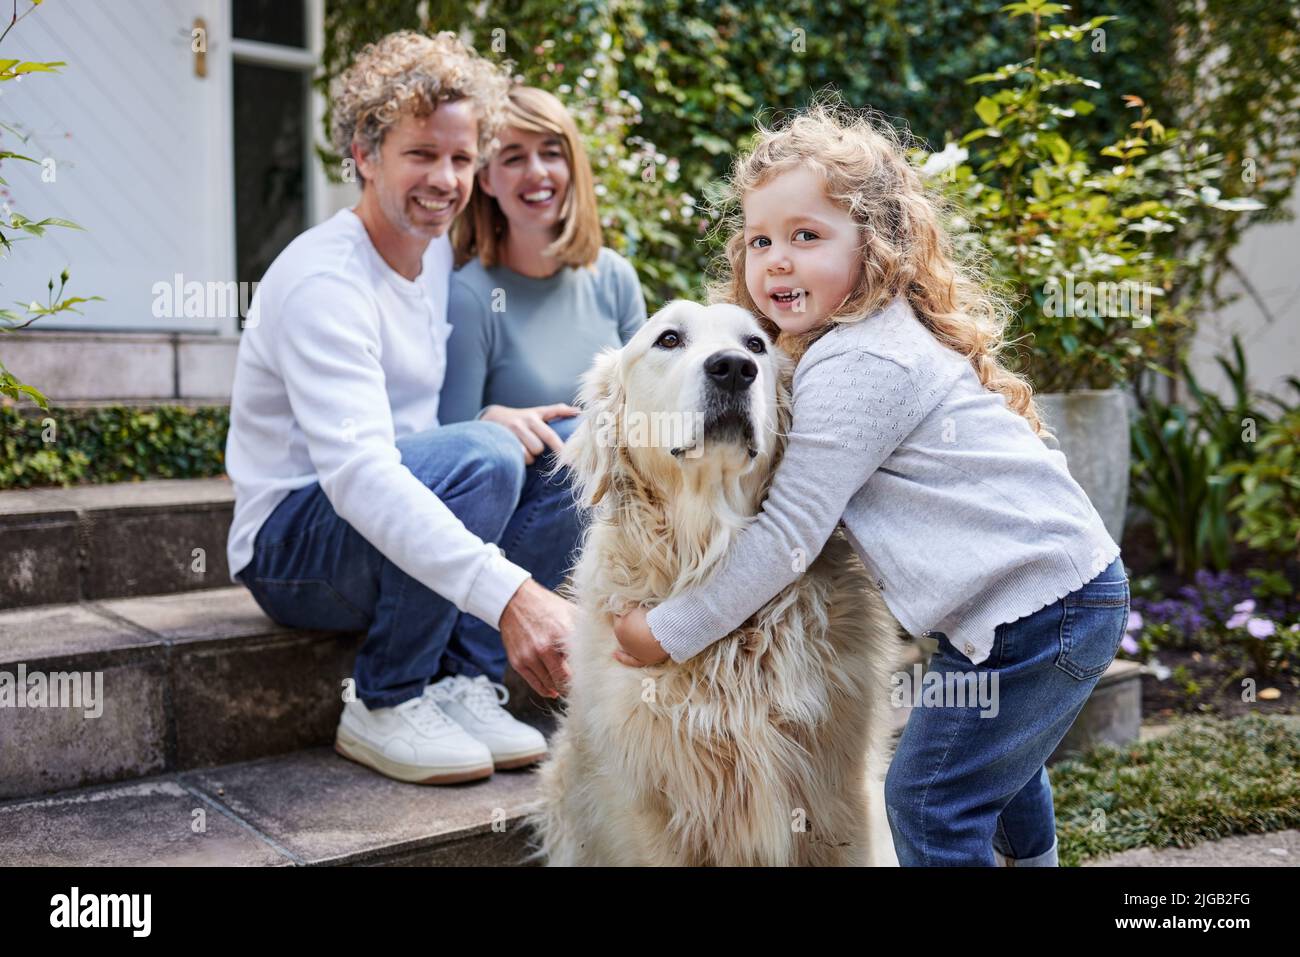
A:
<point x="521" y="341"/>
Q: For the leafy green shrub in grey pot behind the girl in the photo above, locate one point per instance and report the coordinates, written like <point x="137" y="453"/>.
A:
<point x="1077" y="241"/>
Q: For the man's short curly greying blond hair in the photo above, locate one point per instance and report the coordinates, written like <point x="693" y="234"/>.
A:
<point x="410" y="72"/>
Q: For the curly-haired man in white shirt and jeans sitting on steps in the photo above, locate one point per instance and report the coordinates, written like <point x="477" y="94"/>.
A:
<point x="354" y="510"/>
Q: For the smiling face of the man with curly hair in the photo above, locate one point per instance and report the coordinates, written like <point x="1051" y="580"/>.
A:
<point x="426" y="168"/>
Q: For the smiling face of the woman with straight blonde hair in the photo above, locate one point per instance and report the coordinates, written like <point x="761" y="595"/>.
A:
<point x="530" y="179"/>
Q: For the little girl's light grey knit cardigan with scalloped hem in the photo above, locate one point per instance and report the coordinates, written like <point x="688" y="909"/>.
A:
<point x="963" y="516"/>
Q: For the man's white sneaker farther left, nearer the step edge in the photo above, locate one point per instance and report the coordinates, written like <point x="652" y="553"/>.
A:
<point x="413" y="742"/>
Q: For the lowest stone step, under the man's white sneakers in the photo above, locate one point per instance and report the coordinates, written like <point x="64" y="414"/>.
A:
<point x="309" y="808"/>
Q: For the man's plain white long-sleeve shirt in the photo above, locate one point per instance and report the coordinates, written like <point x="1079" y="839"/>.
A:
<point x="340" y="358"/>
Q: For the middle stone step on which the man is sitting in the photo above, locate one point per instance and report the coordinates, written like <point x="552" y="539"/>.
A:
<point x="170" y="683"/>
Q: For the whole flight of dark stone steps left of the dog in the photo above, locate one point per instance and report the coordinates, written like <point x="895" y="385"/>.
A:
<point x="211" y="738"/>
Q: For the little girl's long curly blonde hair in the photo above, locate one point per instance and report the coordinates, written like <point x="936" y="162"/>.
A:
<point x="905" y="248"/>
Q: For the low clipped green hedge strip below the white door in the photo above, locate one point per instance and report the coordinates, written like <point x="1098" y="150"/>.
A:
<point x="68" y="447"/>
